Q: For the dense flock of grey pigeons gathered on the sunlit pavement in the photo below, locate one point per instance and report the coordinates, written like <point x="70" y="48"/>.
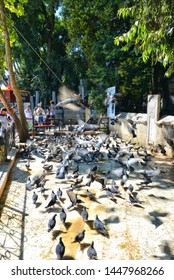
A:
<point x="70" y="152"/>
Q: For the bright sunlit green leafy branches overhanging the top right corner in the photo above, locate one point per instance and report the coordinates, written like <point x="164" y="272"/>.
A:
<point x="151" y="32"/>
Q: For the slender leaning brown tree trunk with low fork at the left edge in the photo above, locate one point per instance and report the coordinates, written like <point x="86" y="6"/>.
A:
<point x="20" y="122"/>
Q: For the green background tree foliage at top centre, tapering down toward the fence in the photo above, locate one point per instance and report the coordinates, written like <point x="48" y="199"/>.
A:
<point x="92" y="26"/>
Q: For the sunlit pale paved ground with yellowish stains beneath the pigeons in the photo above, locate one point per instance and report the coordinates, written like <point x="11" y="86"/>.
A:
<point x="139" y="232"/>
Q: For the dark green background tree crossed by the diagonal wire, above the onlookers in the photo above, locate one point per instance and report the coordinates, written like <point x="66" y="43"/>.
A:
<point x="43" y="38"/>
